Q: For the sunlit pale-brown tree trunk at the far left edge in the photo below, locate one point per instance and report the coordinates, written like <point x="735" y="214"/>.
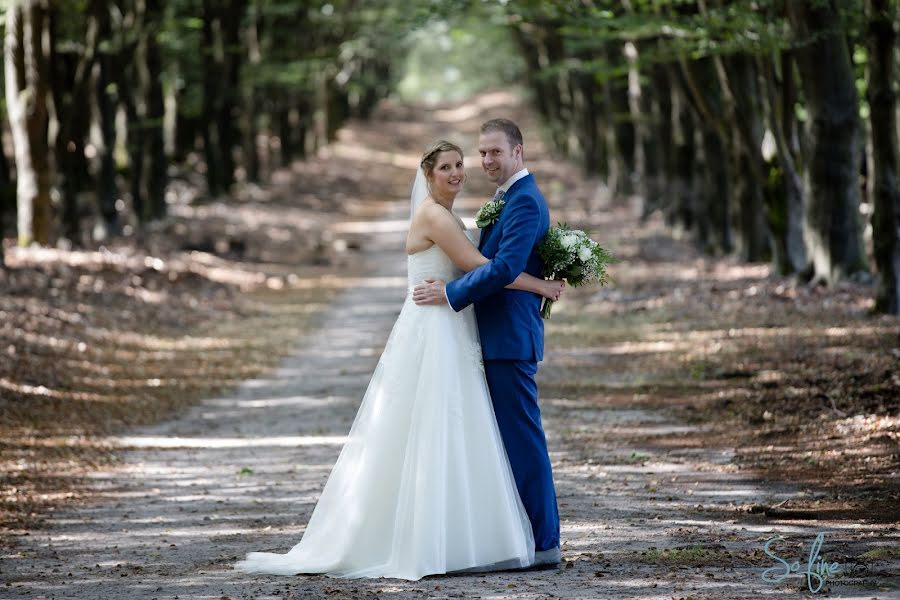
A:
<point x="26" y="72"/>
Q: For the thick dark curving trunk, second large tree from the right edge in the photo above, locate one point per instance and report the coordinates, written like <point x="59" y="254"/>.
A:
<point x="832" y="227"/>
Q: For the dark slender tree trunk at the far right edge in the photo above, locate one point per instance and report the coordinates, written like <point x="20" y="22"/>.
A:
<point x="884" y="188"/>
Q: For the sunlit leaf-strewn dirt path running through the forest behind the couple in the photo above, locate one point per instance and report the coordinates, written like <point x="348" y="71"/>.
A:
<point x="242" y="472"/>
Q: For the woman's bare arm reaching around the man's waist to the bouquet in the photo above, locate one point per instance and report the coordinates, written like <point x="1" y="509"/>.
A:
<point x="441" y="228"/>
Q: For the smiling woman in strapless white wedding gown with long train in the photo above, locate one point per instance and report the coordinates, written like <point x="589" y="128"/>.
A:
<point x="423" y="484"/>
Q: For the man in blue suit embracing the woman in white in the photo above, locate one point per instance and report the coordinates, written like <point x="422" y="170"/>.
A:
<point x="510" y="326"/>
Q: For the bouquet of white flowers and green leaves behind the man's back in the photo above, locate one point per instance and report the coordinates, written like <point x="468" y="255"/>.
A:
<point x="571" y="255"/>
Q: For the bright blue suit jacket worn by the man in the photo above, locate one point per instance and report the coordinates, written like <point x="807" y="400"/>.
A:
<point x="509" y="321"/>
